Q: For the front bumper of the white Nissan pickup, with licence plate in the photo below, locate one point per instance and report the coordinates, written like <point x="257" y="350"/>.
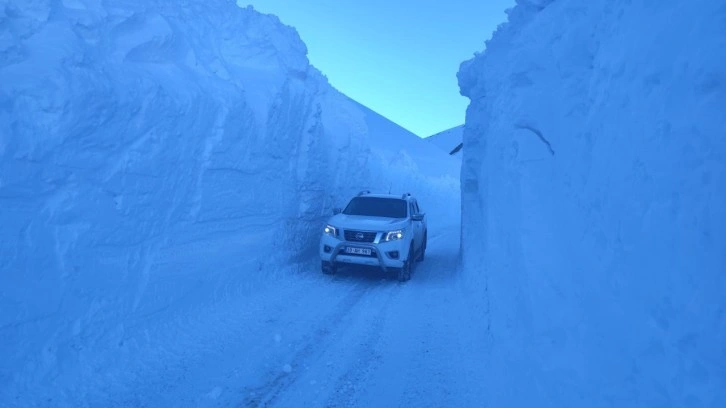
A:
<point x="333" y="250"/>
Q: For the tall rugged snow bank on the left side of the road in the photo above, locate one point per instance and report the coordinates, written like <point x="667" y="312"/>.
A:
<point x="156" y="158"/>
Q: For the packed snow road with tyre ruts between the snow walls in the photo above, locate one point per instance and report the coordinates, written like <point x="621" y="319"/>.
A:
<point x="354" y="339"/>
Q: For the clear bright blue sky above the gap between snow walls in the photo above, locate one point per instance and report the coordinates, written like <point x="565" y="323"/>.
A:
<point x="399" y="58"/>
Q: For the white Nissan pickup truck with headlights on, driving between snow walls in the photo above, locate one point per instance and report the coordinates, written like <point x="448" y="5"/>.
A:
<point x="382" y="230"/>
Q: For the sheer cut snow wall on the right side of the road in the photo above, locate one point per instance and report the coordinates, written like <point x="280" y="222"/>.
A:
<point x="594" y="203"/>
